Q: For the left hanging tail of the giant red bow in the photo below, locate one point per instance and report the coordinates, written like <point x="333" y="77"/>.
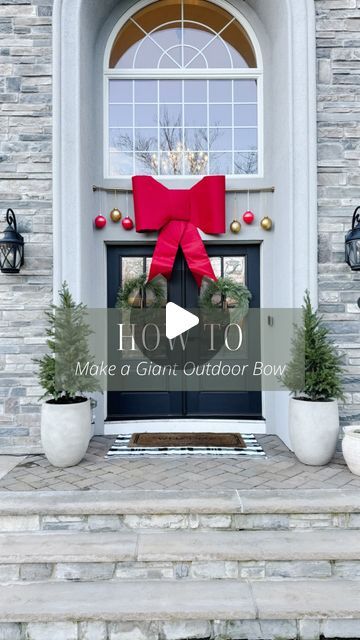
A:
<point x="166" y="249"/>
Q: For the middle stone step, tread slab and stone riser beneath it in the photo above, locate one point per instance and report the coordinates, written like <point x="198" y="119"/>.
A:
<point x="124" y="555"/>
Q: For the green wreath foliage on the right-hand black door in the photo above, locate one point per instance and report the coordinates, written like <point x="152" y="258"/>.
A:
<point x="218" y="292"/>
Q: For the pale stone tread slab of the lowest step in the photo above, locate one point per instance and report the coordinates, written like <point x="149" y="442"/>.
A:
<point x="159" y="600"/>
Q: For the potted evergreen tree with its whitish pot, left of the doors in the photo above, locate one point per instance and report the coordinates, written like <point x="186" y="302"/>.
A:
<point x="66" y="414"/>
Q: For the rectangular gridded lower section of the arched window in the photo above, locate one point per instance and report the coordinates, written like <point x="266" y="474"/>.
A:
<point x="190" y="137"/>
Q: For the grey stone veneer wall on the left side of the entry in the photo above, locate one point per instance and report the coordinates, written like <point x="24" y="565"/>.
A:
<point x="25" y="185"/>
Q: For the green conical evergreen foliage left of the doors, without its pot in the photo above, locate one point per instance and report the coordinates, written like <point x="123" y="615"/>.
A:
<point x="68" y="334"/>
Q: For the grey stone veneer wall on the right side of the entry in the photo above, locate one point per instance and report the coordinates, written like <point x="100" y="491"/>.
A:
<point x="338" y="54"/>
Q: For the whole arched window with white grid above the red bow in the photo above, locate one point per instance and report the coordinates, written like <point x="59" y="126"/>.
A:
<point x="183" y="88"/>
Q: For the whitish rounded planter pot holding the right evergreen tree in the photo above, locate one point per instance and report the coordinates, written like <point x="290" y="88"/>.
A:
<point x="314" y="430"/>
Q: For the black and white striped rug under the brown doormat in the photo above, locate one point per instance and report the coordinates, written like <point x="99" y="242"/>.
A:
<point x="120" y="448"/>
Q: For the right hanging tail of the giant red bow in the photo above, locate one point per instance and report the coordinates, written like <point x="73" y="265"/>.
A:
<point x="195" y="254"/>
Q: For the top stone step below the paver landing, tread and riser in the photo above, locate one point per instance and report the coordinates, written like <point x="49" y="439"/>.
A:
<point x="225" y="510"/>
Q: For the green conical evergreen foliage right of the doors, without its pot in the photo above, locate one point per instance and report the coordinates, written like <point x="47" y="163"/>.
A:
<point x="314" y="372"/>
